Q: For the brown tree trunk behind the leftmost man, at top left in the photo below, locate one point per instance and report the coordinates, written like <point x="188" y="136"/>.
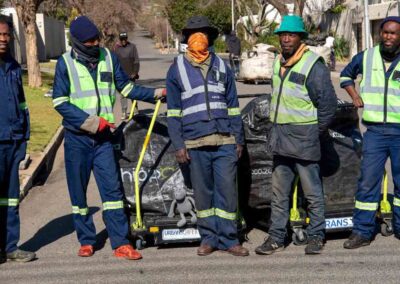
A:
<point x="26" y="11"/>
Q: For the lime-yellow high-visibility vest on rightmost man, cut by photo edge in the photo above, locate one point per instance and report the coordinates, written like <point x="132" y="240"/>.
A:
<point x="381" y="95"/>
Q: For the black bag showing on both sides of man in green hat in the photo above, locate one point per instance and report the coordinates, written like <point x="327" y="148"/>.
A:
<point x="340" y="162"/>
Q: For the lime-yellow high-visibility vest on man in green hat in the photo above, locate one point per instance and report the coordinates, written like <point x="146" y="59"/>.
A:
<point x="290" y="103"/>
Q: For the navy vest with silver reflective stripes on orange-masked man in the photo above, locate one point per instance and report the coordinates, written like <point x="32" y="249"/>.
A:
<point x="202" y="99"/>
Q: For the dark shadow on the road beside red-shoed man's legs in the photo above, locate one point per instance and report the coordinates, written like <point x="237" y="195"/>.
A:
<point x="52" y="231"/>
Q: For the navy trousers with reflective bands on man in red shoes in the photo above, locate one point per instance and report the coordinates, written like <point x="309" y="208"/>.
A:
<point x="83" y="154"/>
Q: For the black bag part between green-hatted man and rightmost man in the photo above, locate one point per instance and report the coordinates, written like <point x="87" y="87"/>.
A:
<point x="341" y="160"/>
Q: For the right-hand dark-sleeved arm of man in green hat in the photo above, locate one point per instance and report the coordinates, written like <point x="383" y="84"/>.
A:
<point x="322" y="94"/>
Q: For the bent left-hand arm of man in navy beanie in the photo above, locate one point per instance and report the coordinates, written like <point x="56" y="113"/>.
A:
<point x="61" y="101"/>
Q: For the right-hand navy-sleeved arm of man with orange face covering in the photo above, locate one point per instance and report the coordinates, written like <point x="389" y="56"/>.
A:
<point x="232" y="103"/>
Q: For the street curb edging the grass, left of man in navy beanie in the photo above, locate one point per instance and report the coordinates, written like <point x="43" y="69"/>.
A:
<point x="44" y="161"/>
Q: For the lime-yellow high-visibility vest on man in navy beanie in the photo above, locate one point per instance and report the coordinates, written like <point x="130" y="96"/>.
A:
<point x="93" y="98"/>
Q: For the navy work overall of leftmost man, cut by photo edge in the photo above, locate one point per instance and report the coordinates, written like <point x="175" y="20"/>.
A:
<point x="14" y="131"/>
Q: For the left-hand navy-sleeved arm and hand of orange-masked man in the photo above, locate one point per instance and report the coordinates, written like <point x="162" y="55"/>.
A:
<point x="174" y="115"/>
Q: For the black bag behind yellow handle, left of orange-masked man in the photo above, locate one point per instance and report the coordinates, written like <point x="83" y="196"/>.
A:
<point x="160" y="174"/>
